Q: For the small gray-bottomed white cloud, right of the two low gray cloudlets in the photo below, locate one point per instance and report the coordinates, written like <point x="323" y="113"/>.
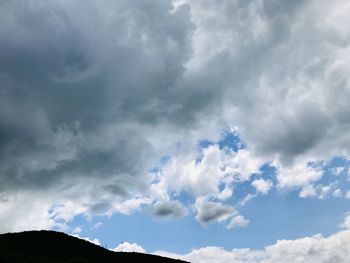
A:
<point x="210" y="212"/>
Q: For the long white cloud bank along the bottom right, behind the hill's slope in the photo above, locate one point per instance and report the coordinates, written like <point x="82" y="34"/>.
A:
<point x="334" y="248"/>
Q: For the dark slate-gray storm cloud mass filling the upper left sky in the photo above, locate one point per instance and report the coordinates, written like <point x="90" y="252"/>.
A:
<point x="75" y="77"/>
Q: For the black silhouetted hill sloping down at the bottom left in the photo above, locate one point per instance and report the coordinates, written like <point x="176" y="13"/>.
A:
<point x="56" y="247"/>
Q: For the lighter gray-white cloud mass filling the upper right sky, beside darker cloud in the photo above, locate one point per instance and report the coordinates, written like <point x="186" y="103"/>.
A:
<point x="283" y="88"/>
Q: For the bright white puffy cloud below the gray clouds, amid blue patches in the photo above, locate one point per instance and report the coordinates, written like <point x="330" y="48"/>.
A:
<point x="204" y="174"/>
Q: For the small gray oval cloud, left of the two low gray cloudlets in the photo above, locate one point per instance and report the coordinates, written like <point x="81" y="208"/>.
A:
<point x="170" y="208"/>
